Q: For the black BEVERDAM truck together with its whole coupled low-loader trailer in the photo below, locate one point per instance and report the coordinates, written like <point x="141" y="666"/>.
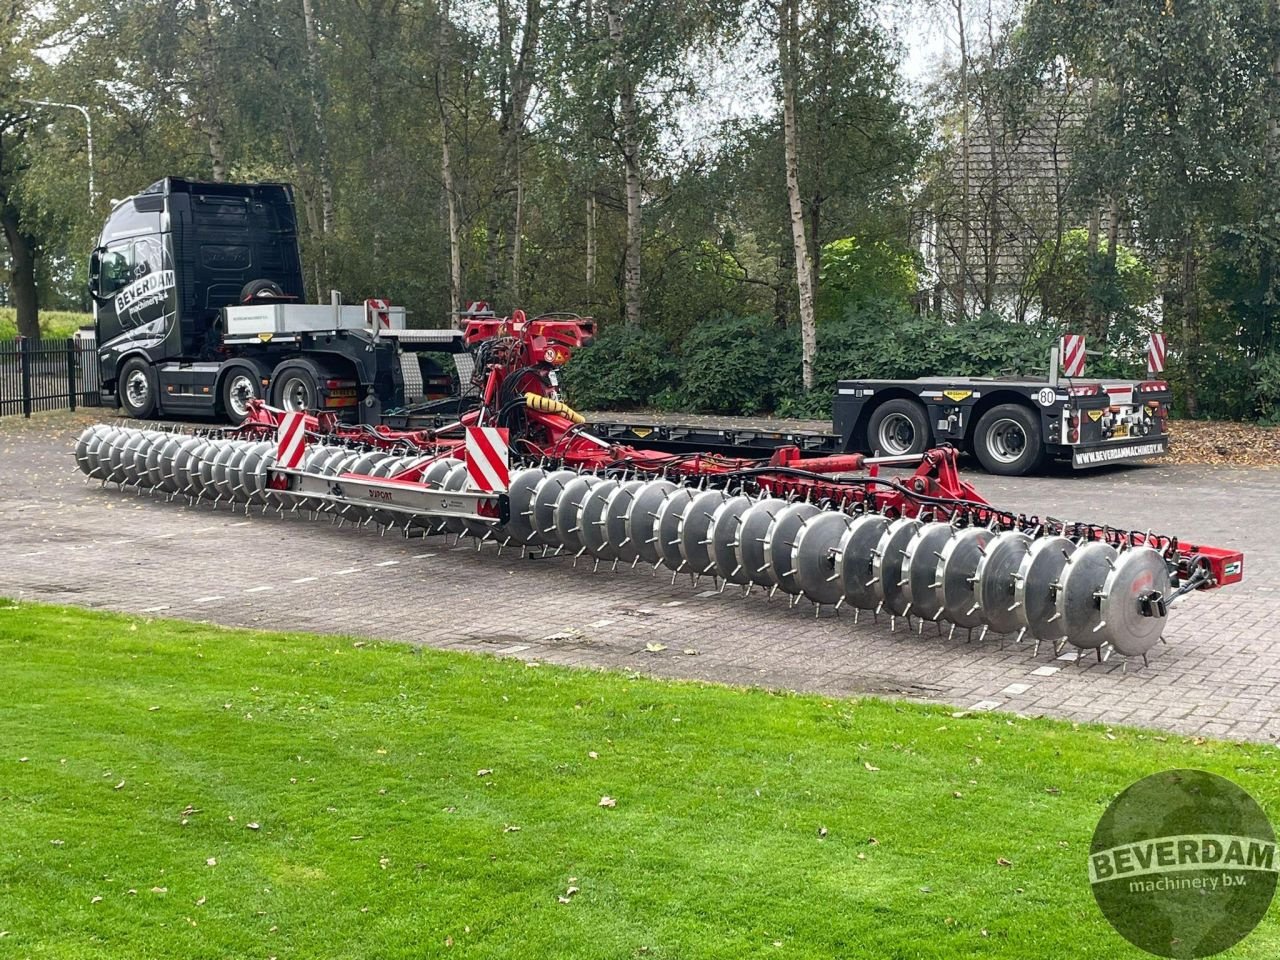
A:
<point x="198" y="309"/>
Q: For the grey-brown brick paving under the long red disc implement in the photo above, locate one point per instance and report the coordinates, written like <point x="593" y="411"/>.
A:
<point x="67" y="541"/>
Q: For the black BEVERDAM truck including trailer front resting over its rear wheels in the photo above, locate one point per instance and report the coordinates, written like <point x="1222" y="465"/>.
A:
<point x="198" y="309"/>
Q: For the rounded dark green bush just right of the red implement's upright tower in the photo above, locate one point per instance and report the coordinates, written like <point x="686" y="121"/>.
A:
<point x="625" y="367"/>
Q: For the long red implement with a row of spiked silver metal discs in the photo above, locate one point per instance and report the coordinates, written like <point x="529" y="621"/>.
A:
<point x="524" y="470"/>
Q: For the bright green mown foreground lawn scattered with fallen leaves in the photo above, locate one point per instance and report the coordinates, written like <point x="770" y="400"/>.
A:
<point x="177" y="790"/>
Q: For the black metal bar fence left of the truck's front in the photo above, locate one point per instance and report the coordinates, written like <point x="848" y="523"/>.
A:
<point x="39" y="376"/>
